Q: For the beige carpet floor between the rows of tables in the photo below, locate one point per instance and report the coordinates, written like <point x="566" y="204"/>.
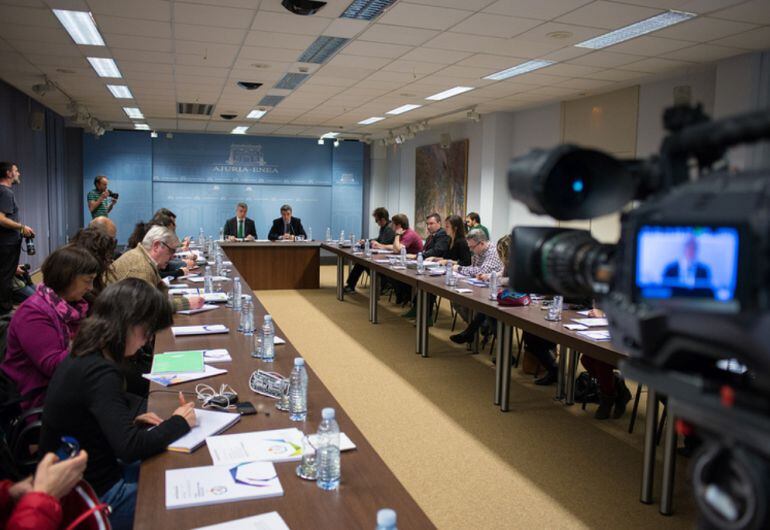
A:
<point x="468" y="465"/>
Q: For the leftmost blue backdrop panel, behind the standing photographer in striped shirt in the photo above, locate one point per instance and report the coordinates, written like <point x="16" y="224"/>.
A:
<point x="126" y="159"/>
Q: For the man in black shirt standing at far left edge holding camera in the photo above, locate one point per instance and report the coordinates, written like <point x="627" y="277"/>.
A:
<point x="11" y="232"/>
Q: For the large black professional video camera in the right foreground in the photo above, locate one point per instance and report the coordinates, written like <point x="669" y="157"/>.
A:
<point x="686" y="290"/>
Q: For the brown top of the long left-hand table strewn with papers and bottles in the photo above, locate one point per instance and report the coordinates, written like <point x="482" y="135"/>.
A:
<point x="367" y="483"/>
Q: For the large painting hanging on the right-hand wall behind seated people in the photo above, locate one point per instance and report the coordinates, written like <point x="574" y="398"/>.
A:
<point x="441" y="180"/>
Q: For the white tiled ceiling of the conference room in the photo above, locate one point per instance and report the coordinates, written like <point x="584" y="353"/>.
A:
<point x="195" y="51"/>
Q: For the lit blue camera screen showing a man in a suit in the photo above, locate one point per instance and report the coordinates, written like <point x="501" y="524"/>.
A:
<point x="687" y="262"/>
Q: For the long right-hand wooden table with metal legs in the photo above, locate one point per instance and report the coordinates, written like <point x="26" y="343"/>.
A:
<point x="531" y="319"/>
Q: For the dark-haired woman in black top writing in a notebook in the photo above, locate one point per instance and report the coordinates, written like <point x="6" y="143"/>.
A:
<point x="86" y="399"/>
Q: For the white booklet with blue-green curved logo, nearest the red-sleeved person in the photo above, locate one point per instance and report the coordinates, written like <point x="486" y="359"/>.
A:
<point x="203" y="486"/>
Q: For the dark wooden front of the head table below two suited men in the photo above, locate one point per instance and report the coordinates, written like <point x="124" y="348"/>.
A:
<point x="276" y="264"/>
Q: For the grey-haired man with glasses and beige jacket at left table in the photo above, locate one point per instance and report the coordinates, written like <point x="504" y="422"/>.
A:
<point x="144" y="261"/>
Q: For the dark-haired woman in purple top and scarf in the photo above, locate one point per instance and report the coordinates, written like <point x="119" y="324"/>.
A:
<point x="40" y="331"/>
